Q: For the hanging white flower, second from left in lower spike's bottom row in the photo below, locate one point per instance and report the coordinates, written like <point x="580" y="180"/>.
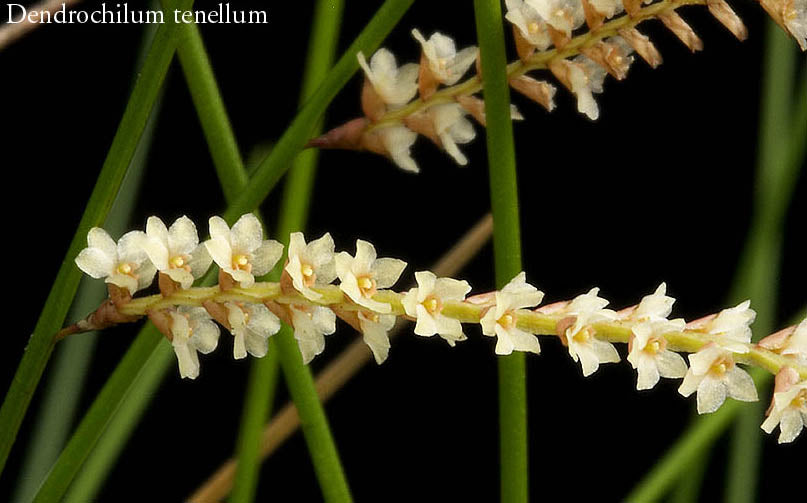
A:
<point x="251" y="325"/>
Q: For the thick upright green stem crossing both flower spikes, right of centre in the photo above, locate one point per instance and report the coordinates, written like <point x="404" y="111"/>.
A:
<point x="506" y="242"/>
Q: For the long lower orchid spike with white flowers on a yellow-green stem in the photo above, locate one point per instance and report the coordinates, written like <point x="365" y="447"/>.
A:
<point x="307" y="299"/>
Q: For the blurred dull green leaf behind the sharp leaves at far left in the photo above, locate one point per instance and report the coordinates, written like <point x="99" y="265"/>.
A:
<point x="66" y="380"/>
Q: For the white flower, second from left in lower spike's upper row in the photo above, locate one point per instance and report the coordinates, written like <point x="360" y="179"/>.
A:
<point x="176" y="251"/>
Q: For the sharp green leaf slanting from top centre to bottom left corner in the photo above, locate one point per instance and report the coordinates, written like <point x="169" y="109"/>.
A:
<point x="121" y="381"/>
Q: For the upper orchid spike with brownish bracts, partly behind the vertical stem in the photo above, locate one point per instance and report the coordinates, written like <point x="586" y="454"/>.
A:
<point x="401" y="103"/>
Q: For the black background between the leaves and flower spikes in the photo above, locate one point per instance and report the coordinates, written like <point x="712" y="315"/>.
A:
<point x="658" y="189"/>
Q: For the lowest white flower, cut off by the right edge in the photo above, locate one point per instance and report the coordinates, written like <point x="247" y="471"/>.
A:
<point x="789" y="406"/>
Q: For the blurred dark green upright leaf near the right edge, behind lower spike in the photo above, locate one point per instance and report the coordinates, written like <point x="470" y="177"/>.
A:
<point x="757" y="277"/>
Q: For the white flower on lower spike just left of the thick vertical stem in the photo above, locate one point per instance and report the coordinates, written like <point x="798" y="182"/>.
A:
<point x="425" y="304"/>
